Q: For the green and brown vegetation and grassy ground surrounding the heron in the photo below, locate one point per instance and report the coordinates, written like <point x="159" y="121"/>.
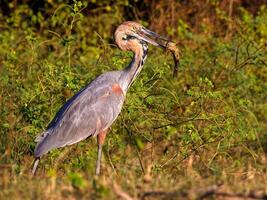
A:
<point x="201" y="135"/>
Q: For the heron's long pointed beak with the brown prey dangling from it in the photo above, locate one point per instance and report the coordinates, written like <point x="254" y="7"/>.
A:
<point x="157" y="40"/>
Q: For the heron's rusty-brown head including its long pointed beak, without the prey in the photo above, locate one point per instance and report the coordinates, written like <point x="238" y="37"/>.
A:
<point x="129" y="35"/>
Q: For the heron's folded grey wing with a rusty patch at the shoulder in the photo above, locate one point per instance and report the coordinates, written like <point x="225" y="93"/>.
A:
<point x="90" y="111"/>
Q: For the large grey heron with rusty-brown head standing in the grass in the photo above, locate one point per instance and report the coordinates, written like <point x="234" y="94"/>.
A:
<point x="93" y="109"/>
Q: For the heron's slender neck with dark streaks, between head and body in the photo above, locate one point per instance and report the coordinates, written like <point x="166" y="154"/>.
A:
<point x="134" y="68"/>
